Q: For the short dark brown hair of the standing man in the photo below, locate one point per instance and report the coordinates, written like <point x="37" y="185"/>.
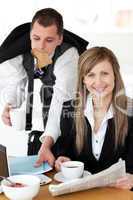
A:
<point x="47" y="17"/>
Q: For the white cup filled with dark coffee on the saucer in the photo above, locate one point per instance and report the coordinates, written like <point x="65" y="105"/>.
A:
<point x="72" y="169"/>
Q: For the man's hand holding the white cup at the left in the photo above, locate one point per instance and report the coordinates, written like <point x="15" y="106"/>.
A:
<point x="6" y="115"/>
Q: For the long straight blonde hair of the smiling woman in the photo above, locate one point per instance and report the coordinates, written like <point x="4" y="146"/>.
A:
<point x="87" y="61"/>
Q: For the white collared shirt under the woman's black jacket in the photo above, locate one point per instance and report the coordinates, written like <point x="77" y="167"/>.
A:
<point x="97" y="138"/>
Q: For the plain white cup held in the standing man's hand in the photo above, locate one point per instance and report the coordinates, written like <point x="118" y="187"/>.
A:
<point x="18" y="118"/>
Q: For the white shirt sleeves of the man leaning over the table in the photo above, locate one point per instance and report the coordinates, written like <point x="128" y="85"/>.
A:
<point x="65" y="71"/>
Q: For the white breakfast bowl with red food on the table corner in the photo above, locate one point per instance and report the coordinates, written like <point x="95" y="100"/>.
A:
<point x="25" y="188"/>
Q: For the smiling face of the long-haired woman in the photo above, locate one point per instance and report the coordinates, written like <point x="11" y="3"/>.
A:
<point x="100" y="80"/>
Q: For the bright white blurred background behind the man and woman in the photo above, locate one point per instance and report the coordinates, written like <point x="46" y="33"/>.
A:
<point x="101" y="22"/>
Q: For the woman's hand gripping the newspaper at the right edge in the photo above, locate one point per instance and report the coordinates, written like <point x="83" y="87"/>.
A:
<point x="125" y="182"/>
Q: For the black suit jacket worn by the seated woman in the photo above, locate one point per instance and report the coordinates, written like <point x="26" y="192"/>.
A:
<point x="109" y="154"/>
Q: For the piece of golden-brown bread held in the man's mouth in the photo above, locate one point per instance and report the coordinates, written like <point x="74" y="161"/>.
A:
<point x="41" y="57"/>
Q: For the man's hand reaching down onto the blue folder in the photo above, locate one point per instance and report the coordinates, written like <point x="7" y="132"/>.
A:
<point x="45" y="153"/>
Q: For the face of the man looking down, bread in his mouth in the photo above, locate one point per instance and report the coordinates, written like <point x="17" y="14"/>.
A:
<point x="45" y="38"/>
